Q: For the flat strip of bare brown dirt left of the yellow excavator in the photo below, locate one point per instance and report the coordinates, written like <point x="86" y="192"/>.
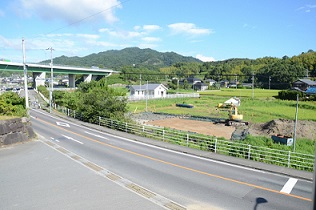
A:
<point x="208" y="128"/>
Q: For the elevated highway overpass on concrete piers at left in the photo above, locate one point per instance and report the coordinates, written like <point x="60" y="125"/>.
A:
<point x="39" y="71"/>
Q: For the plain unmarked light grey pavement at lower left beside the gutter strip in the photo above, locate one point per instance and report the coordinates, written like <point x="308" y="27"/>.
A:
<point x="34" y="176"/>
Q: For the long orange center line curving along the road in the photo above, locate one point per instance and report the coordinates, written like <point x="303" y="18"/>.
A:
<point x="180" y="166"/>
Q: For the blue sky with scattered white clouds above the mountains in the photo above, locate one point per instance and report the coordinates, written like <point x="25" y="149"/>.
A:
<point x="205" y="29"/>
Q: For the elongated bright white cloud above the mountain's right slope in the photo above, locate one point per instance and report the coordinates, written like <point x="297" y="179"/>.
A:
<point x="188" y="28"/>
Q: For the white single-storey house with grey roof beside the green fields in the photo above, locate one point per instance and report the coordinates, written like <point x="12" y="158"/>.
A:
<point x="150" y="90"/>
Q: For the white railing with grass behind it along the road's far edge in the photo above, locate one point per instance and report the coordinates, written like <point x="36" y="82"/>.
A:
<point x="207" y="143"/>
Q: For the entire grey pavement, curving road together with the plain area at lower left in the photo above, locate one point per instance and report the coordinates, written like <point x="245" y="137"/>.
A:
<point x="76" y="167"/>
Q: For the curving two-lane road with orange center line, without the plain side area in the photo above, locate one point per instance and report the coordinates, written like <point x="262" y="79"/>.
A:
<point x="186" y="180"/>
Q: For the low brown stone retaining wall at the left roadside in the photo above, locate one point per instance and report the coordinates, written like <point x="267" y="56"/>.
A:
<point x="15" y="130"/>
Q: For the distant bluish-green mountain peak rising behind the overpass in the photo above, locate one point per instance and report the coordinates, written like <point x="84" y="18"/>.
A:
<point x="115" y="59"/>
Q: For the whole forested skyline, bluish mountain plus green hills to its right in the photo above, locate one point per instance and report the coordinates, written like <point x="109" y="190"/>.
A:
<point x="154" y="66"/>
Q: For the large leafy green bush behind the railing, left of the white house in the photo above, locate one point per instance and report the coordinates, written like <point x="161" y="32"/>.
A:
<point x="94" y="99"/>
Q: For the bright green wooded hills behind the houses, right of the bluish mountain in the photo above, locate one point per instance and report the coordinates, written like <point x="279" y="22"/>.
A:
<point x="268" y="72"/>
